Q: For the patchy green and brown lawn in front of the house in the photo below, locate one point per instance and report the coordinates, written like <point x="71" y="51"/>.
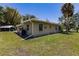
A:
<point x="55" y="44"/>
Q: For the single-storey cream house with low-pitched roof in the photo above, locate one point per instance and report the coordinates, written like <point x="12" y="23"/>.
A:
<point x="36" y="27"/>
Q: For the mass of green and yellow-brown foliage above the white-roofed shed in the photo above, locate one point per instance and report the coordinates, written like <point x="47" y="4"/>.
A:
<point x="9" y="16"/>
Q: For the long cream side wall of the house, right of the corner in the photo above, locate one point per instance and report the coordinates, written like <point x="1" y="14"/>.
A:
<point x="47" y="30"/>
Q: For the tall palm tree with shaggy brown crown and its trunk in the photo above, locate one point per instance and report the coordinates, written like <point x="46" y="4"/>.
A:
<point x="67" y="11"/>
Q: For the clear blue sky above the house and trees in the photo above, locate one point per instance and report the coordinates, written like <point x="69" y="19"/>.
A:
<point x="43" y="11"/>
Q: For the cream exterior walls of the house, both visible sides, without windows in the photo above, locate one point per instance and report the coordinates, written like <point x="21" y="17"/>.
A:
<point x="34" y="28"/>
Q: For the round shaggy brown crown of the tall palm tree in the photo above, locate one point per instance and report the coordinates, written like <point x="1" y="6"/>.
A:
<point x="67" y="9"/>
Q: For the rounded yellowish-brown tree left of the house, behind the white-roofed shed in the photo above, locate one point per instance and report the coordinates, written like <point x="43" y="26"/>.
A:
<point x="12" y="16"/>
